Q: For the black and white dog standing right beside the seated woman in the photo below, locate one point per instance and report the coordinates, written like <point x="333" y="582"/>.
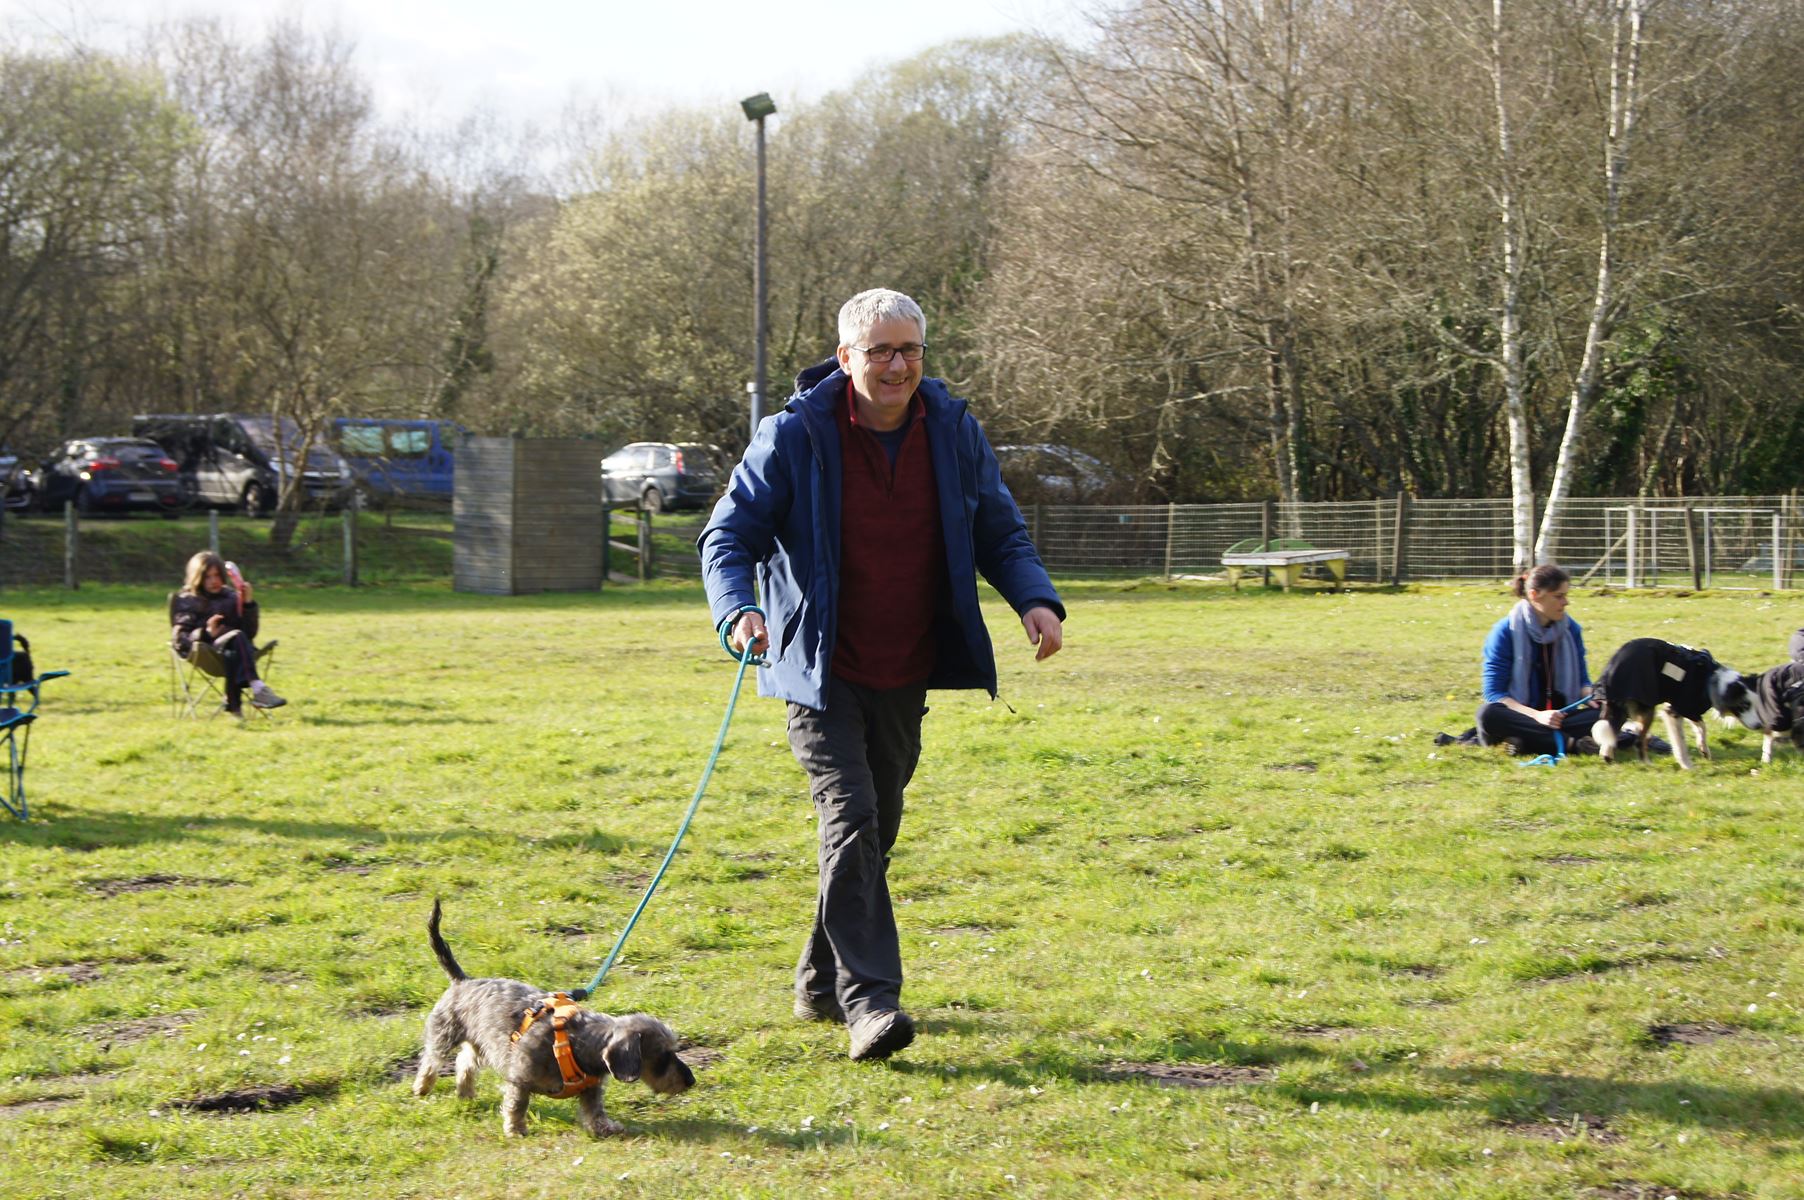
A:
<point x="1646" y="676"/>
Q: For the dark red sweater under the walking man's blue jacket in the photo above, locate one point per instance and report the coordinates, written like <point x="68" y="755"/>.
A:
<point x="892" y="555"/>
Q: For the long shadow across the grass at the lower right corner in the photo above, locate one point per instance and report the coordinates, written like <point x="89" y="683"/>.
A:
<point x="1514" y="1096"/>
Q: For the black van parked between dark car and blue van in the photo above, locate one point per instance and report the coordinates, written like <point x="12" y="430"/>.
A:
<point x="239" y="461"/>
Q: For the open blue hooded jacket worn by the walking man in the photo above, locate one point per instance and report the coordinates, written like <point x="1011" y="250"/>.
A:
<point x="780" y="521"/>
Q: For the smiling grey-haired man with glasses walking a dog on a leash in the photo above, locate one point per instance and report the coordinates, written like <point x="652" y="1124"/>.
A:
<point x="867" y="510"/>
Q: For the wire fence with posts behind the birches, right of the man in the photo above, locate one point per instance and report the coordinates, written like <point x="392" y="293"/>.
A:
<point x="1707" y="540"/>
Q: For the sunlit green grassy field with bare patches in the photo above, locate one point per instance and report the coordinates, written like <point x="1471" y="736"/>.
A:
<point x="1197" y="912"/>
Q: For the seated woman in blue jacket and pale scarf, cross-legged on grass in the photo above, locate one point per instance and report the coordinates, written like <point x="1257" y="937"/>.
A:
<point x="1534" y="667"/>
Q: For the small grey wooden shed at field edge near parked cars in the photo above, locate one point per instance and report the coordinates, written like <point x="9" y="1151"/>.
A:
<point x="528" y="517"/>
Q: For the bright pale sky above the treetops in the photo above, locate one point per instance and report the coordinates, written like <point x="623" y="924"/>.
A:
<point x="529" y="60"/>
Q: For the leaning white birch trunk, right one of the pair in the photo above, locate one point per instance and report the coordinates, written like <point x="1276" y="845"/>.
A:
<point x="1625" y="66"/>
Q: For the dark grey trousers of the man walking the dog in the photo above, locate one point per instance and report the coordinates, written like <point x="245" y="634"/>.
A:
<point x="860" y="753"/>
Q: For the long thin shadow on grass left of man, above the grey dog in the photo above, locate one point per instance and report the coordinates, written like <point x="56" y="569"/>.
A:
<point x="78" y="829"/>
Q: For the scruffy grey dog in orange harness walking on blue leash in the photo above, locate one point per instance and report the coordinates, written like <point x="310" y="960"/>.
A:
<point x="477" y="1020"/>
